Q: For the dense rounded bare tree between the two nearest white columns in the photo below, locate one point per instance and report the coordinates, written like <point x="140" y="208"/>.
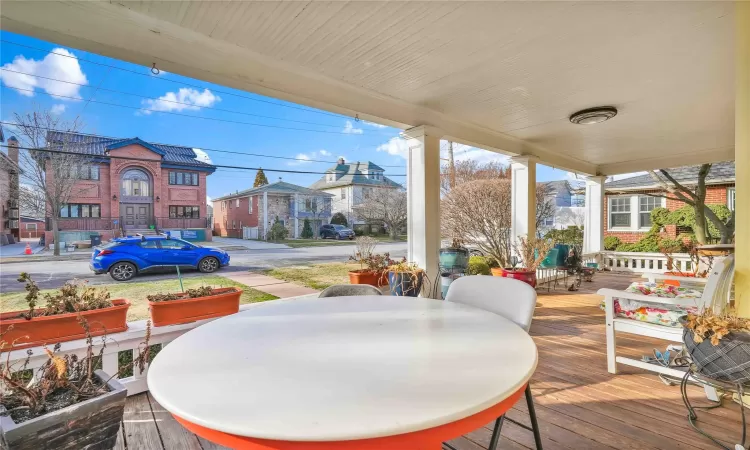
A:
<point x="479" y="213"/>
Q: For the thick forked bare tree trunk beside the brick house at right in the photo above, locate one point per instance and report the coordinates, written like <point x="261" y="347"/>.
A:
<point x="695" y="196"/>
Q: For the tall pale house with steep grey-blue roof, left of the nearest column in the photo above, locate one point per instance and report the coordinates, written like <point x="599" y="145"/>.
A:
<point x="352" y="184"/>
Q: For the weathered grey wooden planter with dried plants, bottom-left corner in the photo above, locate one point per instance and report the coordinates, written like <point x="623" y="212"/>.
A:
<point x="66" y="403"/>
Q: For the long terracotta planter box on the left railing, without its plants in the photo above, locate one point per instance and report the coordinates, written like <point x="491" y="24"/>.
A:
<point x="62" y="327"/>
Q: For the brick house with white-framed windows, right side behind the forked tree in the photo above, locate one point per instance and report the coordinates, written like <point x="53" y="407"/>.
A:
<point x="627" y="207"/>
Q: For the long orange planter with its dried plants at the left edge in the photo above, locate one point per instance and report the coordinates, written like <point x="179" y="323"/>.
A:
<point x="59" y="321"/>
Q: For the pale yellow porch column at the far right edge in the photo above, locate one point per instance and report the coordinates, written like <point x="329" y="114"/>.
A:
<point x="742" y="159"/>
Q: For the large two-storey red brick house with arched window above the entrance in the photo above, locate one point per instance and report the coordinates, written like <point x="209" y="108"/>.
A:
<point x="157" y="185"/>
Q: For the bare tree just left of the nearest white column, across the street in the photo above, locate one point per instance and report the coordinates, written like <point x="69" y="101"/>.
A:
<point x="387" y="207"/>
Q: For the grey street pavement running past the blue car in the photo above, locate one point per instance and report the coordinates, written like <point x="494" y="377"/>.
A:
<point x="52" y="274"/>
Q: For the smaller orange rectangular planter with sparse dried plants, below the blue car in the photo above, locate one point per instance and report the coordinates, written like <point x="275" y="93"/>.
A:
<point x="204" y="302"/>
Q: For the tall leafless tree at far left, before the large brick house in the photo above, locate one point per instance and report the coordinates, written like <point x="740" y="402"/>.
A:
<point x="49" y="168"/>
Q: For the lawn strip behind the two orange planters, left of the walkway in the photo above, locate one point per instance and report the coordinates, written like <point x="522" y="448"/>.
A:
<point x="136" y="292"/>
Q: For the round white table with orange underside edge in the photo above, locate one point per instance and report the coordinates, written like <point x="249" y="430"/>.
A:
<point x="325" y="373"/>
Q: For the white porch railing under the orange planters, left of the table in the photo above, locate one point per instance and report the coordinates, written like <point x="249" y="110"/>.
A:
<point x="126" y="342"/>
